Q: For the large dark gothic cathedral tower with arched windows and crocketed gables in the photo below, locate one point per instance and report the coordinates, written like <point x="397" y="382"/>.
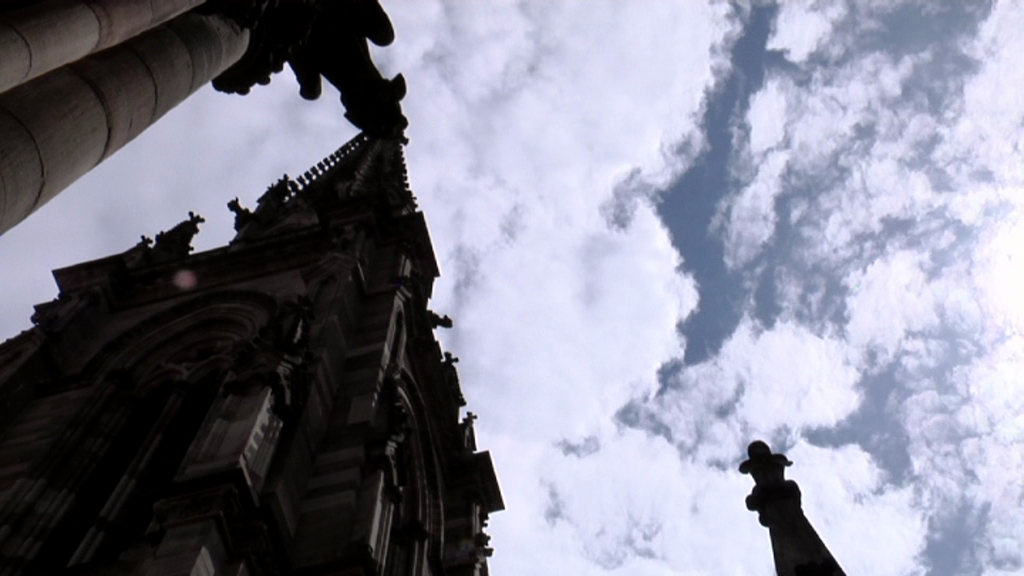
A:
<point x="276" y="406"/>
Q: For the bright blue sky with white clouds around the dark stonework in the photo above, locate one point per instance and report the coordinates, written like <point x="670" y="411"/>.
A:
<point x="667" y="229"/>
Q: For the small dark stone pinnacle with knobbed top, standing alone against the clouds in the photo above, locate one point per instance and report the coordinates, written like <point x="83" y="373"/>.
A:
<point x="797" y="548"/>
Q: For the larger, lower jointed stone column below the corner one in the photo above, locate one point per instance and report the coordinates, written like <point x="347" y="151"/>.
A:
<point x="58" y="128"/>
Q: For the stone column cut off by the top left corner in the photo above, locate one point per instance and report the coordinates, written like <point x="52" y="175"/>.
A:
<point x="46" y="36"/>
